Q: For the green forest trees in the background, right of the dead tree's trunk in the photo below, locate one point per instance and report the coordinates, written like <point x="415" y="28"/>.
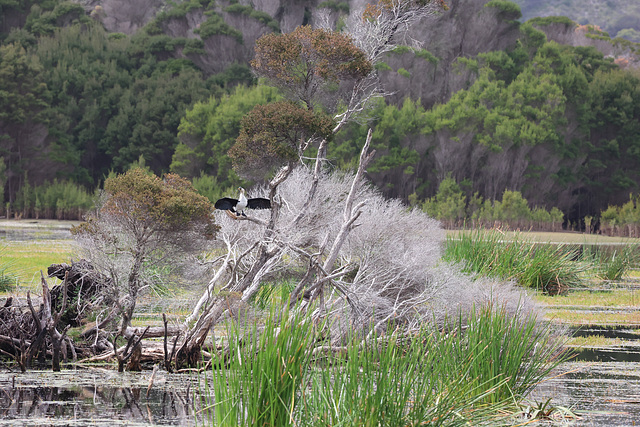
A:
<point x="550" y="121"/>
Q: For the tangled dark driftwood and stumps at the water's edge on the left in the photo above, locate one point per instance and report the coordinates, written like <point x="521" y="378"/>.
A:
<point x="33" y="330"/>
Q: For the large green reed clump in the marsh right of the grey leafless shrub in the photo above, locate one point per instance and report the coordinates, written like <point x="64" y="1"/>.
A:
<point x="551" y="269"/>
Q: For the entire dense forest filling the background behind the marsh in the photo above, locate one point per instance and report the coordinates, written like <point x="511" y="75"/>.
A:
<point x="529" y="122"/>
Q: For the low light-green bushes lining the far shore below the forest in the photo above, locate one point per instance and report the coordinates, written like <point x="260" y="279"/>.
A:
<point x="451" y="206"/>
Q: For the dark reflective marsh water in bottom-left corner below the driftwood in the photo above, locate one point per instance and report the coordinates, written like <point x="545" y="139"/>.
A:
<point x="90" y="398"/>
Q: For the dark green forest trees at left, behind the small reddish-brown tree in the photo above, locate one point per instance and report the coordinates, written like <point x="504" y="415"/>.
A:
<point x="77" y="103"/>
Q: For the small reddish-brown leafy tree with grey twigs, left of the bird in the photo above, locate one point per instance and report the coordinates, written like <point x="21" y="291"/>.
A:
<point x="143" y="228"/>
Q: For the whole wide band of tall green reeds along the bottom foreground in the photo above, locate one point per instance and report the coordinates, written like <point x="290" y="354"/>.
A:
<point x="271" y="375"/>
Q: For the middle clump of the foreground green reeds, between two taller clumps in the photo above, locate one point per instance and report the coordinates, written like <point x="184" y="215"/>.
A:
<point x="396" y="380"/>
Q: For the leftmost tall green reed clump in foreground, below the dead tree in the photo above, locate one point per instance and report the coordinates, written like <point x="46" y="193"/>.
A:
<point x="259" y="382"/>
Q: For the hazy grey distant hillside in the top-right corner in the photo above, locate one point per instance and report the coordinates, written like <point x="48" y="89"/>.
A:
<point x="619" y="18"/>
